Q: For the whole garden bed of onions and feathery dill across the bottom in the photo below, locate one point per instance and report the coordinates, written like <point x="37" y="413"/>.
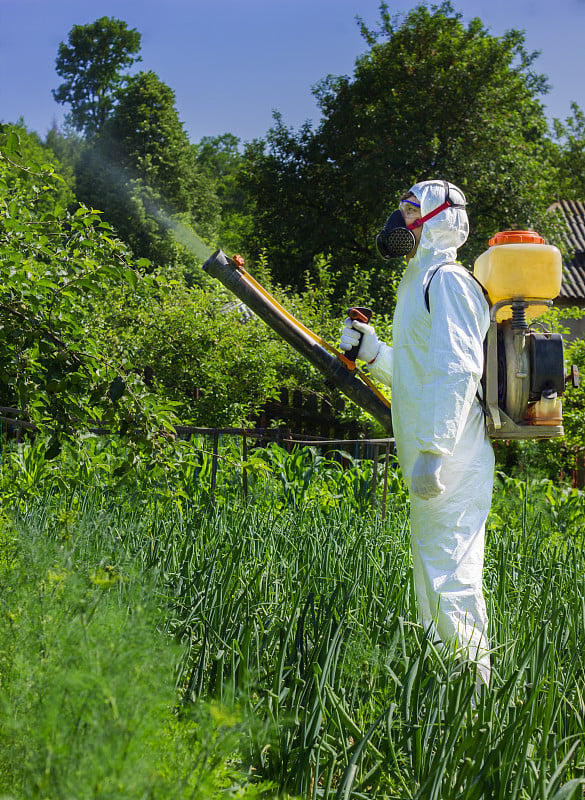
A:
<point x="300" y="620"/>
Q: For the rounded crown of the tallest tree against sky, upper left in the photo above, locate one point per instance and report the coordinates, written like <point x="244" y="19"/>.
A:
<point x="90" y="65"/>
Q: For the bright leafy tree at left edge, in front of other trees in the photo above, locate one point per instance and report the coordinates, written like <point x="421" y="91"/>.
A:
<point x="54" y="267"/>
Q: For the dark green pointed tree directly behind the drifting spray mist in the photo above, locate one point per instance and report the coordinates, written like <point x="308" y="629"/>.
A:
<point x="141" y="171"/>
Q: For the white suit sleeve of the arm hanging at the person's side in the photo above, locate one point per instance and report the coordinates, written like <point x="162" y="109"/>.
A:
<point x="459" y="322"/>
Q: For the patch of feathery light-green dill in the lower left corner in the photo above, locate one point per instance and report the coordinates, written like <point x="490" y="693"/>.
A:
<point x="88" y="700"/>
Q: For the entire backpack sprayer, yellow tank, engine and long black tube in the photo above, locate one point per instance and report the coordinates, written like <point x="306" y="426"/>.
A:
<point x="524" y="371"/>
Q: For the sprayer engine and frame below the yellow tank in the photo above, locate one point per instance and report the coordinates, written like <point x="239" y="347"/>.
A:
<point x="524" y="376"/>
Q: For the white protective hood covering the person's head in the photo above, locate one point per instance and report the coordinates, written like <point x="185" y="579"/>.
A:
<point x="443" y="234"/>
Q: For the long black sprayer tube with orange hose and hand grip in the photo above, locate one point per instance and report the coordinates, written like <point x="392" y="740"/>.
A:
<point x="339" y="369"/>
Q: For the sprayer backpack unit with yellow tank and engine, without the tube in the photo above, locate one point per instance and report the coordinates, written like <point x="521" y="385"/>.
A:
<point x="524" y="373"/>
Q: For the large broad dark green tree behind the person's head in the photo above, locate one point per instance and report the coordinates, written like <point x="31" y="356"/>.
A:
<point x="431" y="97"/>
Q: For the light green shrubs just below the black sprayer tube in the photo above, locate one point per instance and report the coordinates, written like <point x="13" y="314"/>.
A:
<point x="217" y="363"/>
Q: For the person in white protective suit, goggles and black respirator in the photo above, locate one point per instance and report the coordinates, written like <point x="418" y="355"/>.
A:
<point x="435" y="367"/>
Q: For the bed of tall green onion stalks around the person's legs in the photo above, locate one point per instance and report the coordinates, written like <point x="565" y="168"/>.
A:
<point x="312" y="620"/>
